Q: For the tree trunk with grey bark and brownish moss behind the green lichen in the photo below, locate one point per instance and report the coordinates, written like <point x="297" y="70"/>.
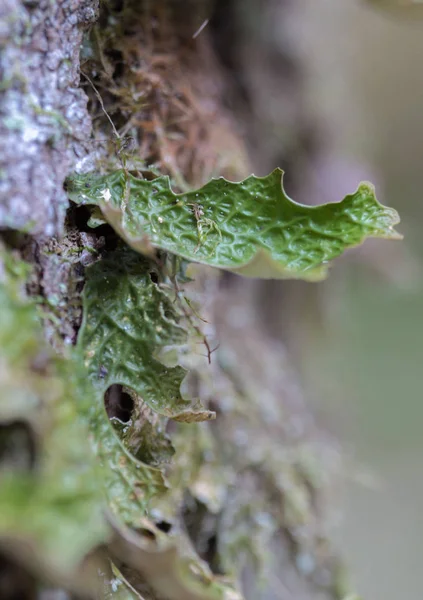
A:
<point x="196" y="89"/>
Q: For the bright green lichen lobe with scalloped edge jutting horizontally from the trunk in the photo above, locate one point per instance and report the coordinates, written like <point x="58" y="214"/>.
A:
<point x="251" y="227"/>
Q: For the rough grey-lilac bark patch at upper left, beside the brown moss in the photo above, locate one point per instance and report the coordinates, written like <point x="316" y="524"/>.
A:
<point x="44" y="122"/>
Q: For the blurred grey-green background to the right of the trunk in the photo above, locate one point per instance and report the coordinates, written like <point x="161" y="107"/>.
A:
<point x="365" y="367"/>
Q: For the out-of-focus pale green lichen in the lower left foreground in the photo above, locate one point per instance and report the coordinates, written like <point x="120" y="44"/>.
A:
<point x="43" y="504"/>
